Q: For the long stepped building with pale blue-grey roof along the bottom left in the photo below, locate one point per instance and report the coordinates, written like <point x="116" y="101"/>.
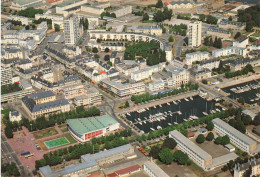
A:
<point x="90" y="162"/>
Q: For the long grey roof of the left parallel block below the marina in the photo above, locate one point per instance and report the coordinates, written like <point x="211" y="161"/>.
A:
<point x="192" y="146"/>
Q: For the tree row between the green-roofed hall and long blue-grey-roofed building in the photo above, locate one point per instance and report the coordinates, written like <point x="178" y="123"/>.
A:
<point x="74" y="152"/>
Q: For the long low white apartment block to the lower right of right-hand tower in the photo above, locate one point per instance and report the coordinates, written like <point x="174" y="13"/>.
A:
<point x="229" y="51"/>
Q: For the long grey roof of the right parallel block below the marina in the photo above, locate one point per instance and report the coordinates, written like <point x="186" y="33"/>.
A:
<point x="242" y="137"/>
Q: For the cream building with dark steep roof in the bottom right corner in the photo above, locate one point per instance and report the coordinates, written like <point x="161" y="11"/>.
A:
<point x="240" y="169"/>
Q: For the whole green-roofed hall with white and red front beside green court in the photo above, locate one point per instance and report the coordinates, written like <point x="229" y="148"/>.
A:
<point x="84" y="129"/>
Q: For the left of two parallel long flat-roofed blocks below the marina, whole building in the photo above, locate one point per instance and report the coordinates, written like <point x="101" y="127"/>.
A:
<point x="198" y="155"/>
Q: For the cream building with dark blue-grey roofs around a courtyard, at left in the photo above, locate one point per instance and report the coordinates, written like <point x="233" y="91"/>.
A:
<point x="44" y="103"/>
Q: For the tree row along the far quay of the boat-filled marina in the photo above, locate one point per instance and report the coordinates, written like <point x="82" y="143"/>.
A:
<point x="147" y="96"/>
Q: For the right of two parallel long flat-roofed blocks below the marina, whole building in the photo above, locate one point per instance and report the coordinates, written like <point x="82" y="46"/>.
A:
<point x="239" y="139"/>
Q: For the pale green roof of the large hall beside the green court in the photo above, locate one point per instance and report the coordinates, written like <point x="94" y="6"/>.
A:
<point x="85" y="125"/>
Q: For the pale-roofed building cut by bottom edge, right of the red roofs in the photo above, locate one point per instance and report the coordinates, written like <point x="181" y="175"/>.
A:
<point x="152" y="170"/>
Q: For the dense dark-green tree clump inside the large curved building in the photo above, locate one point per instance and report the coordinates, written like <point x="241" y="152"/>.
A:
<point x="149" y="50"/>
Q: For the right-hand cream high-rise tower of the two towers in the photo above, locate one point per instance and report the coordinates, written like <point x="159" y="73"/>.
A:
<point x="194" y="33"/>
